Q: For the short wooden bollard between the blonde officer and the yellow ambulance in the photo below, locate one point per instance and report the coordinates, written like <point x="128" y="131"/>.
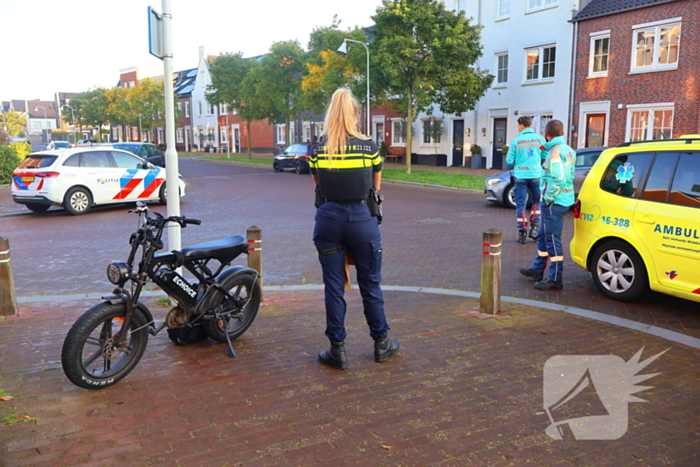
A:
<point x="490" y="300"/>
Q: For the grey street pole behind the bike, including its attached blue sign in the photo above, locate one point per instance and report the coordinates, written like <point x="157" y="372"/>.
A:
<point x="156" y="41"/>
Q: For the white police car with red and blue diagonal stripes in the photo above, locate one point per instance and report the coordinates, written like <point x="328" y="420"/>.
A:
<point x="79" y="178"/>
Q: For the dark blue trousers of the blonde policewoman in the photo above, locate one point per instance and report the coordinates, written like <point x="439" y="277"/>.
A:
<point x="350" y="228"/>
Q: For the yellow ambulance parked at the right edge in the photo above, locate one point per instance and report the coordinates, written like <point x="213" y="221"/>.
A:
<point x="637" y="220"/>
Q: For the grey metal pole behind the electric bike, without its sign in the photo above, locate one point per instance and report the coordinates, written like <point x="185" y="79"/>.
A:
<point x="171" y="162"/>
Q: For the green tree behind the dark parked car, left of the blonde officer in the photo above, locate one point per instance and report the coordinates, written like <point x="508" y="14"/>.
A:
<point x="278" y="83"/>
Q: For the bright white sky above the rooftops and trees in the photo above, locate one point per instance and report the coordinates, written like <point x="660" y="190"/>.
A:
<point x="75" y="45"/>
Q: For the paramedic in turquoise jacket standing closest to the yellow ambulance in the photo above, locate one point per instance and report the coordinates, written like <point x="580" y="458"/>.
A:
<point x="557" y="189"/>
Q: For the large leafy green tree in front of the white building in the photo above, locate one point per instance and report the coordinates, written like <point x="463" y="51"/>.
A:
<point x="427" y="55"/>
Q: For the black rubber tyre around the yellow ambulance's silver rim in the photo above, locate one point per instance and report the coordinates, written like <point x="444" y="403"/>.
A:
<point x="637" y="273"/>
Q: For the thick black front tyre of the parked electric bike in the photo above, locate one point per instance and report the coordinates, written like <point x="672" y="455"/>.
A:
<point x="88" y="325"/>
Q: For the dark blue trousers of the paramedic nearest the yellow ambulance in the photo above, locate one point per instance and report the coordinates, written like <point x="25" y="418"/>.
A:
<point x="549" y="242"/>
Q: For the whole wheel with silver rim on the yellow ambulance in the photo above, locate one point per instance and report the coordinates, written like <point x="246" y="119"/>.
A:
<point x="618" y="271"/>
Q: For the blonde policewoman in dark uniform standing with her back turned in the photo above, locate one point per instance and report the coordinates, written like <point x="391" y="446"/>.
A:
<point x="345" y="166"/>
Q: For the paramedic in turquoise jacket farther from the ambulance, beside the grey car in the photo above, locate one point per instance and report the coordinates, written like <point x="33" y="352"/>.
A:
<point x="525" y="155"/>
